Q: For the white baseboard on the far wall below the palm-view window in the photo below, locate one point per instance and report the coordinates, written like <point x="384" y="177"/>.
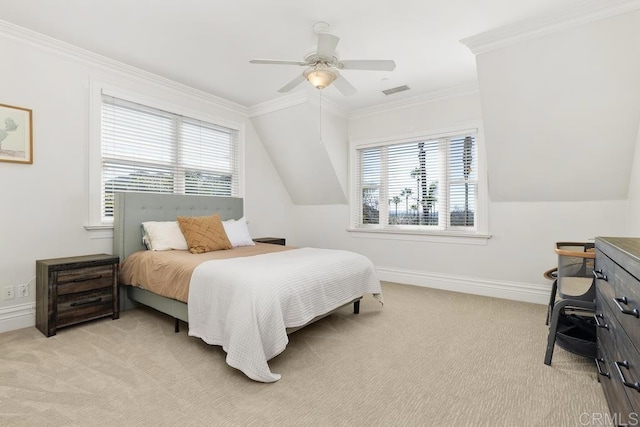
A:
<point x="534" y="293"/>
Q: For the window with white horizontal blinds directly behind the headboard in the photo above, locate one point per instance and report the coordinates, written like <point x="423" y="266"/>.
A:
<point x="145" y="149"/>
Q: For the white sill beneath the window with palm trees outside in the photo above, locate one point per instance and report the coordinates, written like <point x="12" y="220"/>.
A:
<point x="461" y="238"/>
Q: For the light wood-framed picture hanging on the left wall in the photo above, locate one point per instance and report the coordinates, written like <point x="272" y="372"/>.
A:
<point x="16" y="135"/>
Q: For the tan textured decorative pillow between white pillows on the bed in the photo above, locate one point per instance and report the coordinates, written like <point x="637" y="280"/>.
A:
<point x="204" y="233"/>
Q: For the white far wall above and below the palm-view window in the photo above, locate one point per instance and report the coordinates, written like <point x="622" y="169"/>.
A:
<point x="523" y="233"/>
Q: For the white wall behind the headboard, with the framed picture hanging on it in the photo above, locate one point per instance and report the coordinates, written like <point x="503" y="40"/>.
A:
<point x="45" y="205"/>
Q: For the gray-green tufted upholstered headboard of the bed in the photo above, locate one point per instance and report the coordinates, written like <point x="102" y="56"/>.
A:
<point x="131" y="209"/>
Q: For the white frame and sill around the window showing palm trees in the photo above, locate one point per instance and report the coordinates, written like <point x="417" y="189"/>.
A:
<point x="479" y="236"/>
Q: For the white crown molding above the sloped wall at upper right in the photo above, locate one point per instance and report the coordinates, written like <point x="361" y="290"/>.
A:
<point x="583" y="12"/>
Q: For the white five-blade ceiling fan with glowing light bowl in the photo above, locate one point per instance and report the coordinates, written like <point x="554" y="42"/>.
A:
<point x="323" y="66"/>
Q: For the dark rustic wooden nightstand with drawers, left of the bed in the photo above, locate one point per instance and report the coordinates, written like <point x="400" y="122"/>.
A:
<point x="75" y="289"/>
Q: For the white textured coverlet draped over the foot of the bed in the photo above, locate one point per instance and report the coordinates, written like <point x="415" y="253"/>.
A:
<point x="245" y="304"/>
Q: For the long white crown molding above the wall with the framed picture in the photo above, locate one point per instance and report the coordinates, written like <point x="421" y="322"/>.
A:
<point x="68" y="50"/>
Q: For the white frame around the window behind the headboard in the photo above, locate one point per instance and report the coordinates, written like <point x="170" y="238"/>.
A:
<point x="158" y="100"/>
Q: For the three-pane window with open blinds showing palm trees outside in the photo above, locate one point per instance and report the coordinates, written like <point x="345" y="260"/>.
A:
<point x="429" y="184"/>
